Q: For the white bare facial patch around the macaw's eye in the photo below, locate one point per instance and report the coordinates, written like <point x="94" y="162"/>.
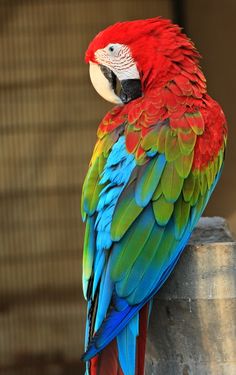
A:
<point x="118" y="58"/>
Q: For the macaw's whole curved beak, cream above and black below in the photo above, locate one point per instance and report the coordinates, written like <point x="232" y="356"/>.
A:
<point x="110" y="88"/>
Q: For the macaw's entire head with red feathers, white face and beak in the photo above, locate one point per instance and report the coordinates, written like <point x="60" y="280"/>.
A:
<point x="129" y="58"/>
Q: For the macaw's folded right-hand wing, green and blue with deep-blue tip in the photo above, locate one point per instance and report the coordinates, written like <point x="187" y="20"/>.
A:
<point x="152" y="221"/>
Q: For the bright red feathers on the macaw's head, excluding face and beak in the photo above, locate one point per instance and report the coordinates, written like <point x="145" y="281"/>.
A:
<point x="159" y="48"/>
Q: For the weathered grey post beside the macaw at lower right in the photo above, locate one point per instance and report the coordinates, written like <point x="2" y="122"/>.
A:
<point x="192" y="325"/>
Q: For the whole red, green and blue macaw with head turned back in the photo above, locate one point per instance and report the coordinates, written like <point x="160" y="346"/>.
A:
<point x="157" y="160"/>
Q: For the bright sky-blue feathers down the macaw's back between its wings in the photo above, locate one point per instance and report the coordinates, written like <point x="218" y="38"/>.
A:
<point x="115" y="181"/>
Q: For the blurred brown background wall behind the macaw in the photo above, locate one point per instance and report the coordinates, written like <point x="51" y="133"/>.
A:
<point x="49" y="113"/>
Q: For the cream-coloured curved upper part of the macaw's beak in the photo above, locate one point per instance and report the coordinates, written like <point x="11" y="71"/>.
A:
<point x="102" y="85"/>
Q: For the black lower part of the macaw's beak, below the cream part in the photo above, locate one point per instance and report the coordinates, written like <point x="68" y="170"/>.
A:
<point x="127" y="90"/>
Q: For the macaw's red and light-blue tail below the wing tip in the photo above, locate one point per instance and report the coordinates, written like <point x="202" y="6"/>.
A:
<point x="118" y="357"/>
